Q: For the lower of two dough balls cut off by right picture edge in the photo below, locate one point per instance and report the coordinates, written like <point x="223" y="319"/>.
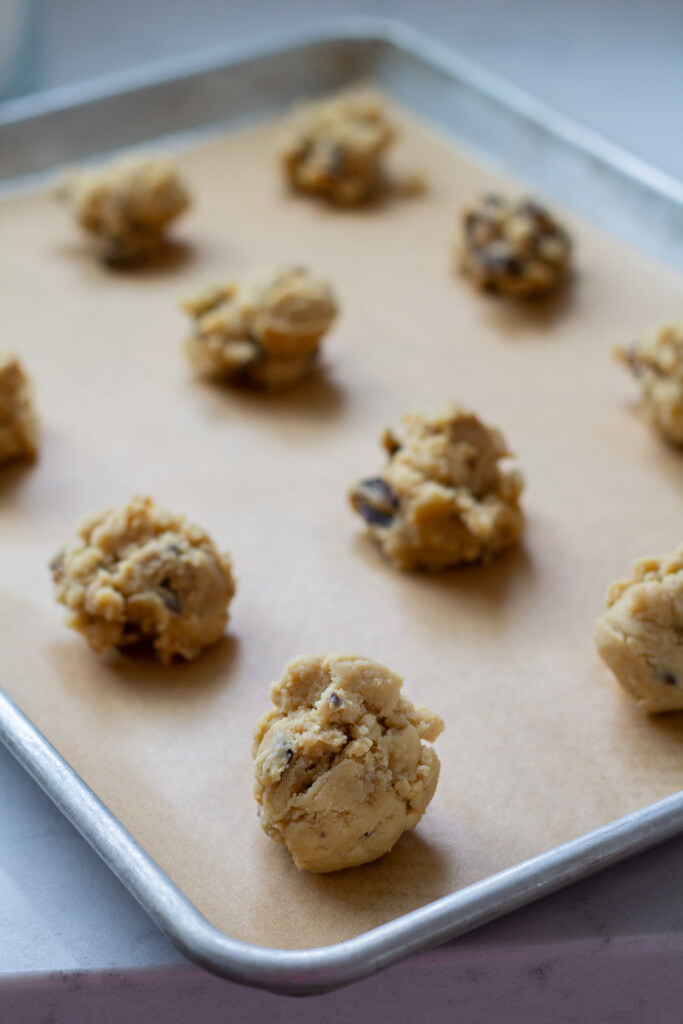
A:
<point x="639" y="636"/>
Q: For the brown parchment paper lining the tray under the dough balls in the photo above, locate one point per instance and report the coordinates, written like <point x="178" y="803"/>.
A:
<point x="541" y="745"/>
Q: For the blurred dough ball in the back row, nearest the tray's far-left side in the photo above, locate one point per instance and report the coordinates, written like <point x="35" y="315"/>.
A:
<point x="126" y="206"/>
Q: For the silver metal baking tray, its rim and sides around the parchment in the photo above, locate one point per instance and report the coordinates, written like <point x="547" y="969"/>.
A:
<point x="180" y="102"/>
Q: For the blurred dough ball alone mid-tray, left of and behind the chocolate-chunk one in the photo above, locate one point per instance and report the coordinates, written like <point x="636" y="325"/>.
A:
<point x="263" y="331"/>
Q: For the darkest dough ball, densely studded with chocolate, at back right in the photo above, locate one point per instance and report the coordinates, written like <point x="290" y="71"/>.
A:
<point x="516" y="249"/>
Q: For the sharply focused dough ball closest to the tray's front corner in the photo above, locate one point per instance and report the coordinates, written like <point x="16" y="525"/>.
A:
<point x="341" y="771"/>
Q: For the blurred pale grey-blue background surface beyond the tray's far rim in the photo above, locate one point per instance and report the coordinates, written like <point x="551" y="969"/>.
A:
<point x="616" y="66"/>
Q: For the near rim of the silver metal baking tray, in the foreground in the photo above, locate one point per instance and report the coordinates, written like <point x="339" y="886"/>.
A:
<point x="306" y="972"/>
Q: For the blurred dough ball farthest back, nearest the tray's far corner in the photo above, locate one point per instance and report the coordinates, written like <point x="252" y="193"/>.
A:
<point x="335" y="149"/>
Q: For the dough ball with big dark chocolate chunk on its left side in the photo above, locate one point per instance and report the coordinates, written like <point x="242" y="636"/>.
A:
<point x="443" y="498"/>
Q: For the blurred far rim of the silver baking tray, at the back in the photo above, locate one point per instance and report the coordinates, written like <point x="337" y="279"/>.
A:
<point x="371" y="30"/>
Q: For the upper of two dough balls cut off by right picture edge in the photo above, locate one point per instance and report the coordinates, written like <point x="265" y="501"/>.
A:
<point x="657" y="362"/>
